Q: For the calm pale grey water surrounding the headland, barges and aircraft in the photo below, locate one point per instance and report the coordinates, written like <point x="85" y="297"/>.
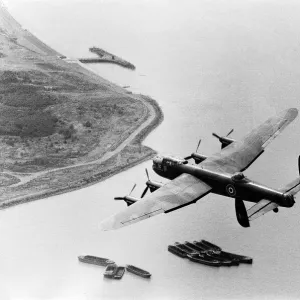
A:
<point x="212" y="66"/>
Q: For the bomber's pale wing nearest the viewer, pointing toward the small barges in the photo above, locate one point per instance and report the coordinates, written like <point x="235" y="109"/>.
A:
<point x="183" y="190"/>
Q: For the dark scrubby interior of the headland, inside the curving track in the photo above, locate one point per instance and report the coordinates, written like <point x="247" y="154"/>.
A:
<point x="47" y="118"/>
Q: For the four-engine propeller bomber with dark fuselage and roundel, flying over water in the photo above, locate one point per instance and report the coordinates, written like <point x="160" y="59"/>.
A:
<point x="221" y="174"/>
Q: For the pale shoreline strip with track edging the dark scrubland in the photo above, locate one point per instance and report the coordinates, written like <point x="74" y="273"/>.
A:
<point x="95" y="170"/>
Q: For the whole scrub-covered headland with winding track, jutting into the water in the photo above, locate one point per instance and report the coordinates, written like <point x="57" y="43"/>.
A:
<point x="62" y="127"/>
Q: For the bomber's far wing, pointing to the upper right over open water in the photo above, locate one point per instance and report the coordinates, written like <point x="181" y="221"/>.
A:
<point x="239" y="155"/>
